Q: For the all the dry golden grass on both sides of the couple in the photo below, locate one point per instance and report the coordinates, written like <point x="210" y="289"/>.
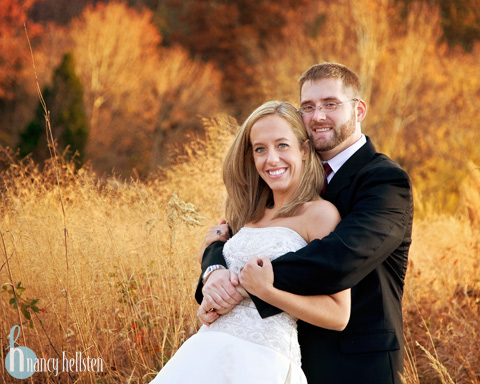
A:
<point x="115" y="271"/>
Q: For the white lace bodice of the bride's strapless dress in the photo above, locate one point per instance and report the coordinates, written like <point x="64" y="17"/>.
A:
<point x="280" y="331"/>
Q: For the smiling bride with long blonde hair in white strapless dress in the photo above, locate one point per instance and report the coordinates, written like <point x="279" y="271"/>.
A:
<point x="272" y="176"/>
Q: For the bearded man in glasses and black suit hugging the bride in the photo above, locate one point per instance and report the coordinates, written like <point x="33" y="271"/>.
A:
<point x="367" y="252"/>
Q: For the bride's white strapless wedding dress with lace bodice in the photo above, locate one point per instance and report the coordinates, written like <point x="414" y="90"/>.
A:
<point x="241" y="347"/>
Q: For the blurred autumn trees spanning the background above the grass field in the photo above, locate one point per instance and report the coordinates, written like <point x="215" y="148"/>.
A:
<point x="127" y="83"/>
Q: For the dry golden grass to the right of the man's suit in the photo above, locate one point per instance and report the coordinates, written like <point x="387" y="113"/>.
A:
<point x="442" y="302"/>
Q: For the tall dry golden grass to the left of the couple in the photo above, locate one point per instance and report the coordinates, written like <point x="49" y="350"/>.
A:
<point x="131" y="249"/>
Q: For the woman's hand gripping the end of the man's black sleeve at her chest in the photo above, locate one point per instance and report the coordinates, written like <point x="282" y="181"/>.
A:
<point x="257" y="277"/>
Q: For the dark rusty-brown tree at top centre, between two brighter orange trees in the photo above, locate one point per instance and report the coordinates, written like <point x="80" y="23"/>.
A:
<point x="234" y="36"/>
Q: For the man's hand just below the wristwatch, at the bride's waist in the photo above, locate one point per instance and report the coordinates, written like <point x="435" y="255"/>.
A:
<point x="219" y="292"/>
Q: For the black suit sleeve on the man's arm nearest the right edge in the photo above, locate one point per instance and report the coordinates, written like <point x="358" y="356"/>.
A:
<point x="379" y="206"/>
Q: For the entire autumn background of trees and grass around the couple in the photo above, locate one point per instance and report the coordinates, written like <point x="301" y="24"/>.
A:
<point x="98" y="244"/>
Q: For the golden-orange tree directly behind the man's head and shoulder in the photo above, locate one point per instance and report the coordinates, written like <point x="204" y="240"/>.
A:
<point x="421" y="95"/>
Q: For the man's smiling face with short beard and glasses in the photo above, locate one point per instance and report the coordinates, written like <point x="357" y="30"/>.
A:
<point x="331" y="132"/>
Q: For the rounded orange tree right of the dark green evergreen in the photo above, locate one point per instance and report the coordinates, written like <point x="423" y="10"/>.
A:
<point x="138" y="95"/>
